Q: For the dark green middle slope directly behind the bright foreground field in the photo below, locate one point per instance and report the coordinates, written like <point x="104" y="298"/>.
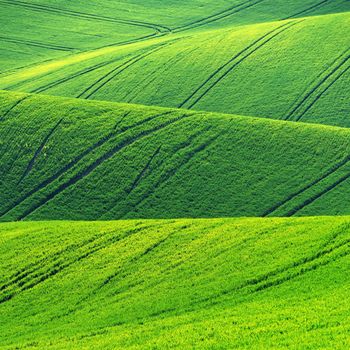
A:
<point x="76" y="159"/>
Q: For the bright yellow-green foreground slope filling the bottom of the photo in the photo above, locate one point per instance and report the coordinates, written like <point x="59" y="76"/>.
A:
<point x="204" y="284"/>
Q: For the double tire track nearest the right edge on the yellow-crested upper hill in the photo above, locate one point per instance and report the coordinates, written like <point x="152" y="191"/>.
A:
<point x="313" y="94"/>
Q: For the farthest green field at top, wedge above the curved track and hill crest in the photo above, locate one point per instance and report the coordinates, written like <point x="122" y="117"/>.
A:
<point x="184" y="15"/>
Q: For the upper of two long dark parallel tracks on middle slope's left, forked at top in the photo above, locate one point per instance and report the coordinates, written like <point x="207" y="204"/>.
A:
<point x="115" y="132"/>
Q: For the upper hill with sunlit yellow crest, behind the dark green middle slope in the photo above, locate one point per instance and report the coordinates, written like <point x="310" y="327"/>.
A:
<point x="297" y="69"/>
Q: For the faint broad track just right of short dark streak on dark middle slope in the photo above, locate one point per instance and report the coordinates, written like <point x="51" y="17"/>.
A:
<point x="174" y="170"/>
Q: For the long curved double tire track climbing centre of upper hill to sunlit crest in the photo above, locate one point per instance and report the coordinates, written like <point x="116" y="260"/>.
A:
<point x="221" y="72"/>
